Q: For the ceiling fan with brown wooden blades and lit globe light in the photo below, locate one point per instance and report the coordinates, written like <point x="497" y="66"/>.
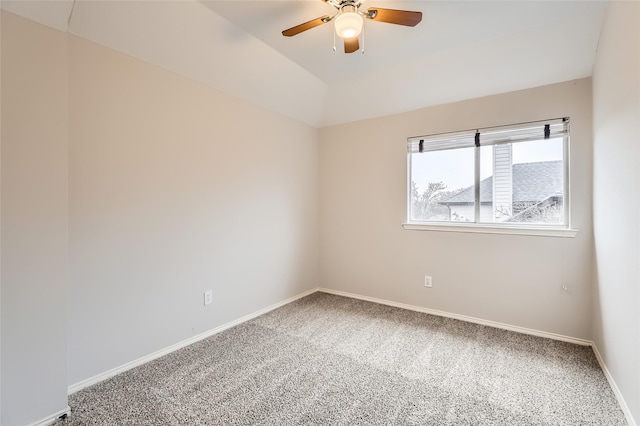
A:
<point x="350" y="19"/>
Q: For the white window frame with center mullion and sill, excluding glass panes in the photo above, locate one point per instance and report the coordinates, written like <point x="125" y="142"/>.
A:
<point x="550" y="230"/>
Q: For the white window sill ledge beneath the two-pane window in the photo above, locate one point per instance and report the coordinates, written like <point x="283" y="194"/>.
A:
<point x="488" y="229"/>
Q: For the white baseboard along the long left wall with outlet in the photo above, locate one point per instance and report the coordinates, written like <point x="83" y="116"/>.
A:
<point x="165" y="351"/>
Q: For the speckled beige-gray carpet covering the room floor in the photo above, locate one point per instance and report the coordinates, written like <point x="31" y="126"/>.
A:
<point x="330" y="360"/>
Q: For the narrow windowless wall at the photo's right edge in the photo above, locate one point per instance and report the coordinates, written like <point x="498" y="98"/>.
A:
<point x="616" y="307"/>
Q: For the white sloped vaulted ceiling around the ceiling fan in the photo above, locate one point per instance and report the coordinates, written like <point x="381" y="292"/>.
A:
<point x="460" y="50"/>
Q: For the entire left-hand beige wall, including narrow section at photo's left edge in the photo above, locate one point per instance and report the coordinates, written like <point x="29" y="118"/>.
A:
<point x="173" y="189"/>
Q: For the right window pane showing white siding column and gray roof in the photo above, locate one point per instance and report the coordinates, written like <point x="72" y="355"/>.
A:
<point x="523" y="182"/>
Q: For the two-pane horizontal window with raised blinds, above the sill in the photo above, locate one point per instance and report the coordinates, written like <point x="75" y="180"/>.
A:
<point x="504" y="177"/>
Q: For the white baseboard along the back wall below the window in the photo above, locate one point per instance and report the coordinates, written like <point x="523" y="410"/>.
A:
<point x="480" y="321"/>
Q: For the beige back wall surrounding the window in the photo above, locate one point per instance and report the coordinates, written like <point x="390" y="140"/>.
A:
<point x="510" y="279"/>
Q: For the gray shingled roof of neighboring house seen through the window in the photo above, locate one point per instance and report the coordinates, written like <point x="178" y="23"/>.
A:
<point x="532" y="182"/>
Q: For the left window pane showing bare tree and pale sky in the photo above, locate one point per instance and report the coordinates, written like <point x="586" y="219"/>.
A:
<point x="442" y="186"/>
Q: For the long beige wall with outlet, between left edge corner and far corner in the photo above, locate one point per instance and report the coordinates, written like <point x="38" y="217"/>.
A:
<point x="176" y="188"/>
